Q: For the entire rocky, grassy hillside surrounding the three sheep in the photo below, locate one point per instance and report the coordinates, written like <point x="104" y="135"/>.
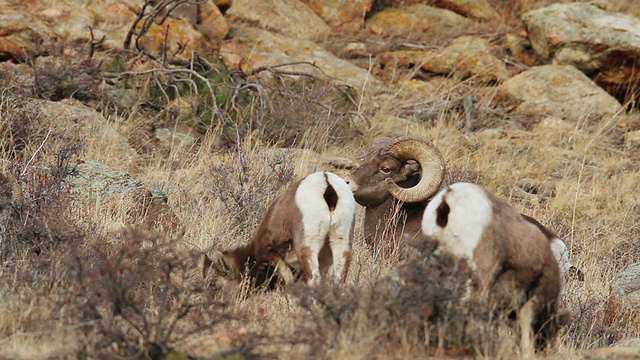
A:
<point x="135" y="135"/>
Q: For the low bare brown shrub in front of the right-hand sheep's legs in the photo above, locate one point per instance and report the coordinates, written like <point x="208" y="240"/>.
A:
<point x="419" y="308"/>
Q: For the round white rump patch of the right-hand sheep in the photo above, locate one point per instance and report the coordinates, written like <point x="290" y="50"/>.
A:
<point x="470" y="211"/>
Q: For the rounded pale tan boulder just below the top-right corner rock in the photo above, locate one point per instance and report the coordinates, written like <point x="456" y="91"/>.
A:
<point x="558" y="90"/>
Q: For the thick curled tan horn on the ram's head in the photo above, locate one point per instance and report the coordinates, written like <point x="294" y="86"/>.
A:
<point x="431" y="162"/>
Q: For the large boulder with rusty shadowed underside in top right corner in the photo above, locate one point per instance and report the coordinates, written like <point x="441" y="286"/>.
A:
<point x="598" y="42"/>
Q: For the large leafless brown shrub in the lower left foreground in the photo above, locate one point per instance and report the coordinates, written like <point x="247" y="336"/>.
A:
<point x="141" y="294"/>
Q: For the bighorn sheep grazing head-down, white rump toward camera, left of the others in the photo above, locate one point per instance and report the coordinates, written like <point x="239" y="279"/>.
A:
<point x="304" y="230"/>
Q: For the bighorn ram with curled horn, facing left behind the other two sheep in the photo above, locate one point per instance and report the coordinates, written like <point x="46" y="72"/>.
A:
<point x="404" y="174"/>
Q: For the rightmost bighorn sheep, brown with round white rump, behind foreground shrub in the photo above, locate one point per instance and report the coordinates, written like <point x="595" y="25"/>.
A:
<point x="511" y="257"/>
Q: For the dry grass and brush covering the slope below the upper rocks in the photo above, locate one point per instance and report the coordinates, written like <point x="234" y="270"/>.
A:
<point x="90" y="277"/>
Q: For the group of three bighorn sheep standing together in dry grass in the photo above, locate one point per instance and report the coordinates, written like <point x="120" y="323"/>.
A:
<point x="307" y="231"/>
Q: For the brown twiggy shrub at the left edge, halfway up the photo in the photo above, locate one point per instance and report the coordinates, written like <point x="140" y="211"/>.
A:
<point x="35" y="222"/>
